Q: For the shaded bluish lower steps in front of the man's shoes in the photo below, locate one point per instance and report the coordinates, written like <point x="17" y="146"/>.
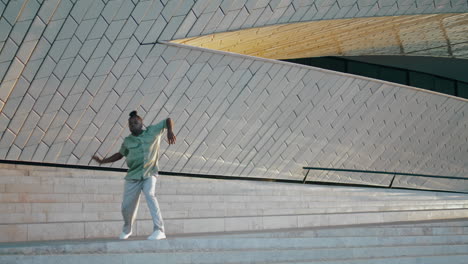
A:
<point x="203" y="250"/>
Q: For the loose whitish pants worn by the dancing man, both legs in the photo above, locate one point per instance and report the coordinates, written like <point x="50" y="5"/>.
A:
<point x="131" y="199"/>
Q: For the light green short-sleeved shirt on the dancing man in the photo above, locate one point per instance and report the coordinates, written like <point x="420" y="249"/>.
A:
<point x="142" y="152"/>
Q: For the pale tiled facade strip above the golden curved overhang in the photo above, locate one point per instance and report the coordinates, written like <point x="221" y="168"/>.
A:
<point x="213" y="16"/>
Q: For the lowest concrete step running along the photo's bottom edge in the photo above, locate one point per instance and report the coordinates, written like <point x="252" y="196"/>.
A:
<point x="239" y="258"/>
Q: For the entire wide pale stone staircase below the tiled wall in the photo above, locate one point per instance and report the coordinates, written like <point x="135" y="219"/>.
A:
<point x="62" y="215"/>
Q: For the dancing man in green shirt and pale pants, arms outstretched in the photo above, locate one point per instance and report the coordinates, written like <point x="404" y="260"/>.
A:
<point x="141" y="149"/>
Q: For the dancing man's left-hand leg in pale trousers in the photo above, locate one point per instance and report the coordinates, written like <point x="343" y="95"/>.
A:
<point x="131" y="199"/>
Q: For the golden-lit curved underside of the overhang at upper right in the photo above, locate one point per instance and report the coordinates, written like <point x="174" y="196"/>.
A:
<point x="441" y="35"/>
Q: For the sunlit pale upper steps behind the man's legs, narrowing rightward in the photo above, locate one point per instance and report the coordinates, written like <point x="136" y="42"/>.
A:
<point x="39" y="203"/>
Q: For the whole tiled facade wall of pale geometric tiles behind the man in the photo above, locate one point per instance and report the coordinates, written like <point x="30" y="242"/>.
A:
<point x="71" y="71"/>
